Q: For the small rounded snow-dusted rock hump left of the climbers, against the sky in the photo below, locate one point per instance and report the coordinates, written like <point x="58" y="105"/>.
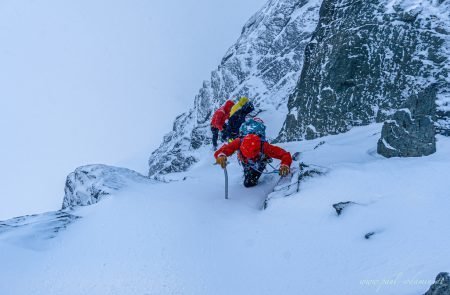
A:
<point x="87" y="185"/>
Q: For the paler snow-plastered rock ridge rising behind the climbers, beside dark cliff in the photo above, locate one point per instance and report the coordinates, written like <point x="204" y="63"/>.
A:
<point x="264" y="65"/>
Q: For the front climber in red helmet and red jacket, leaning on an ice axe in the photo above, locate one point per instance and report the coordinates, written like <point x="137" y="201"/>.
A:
<point x="254" y="154"/>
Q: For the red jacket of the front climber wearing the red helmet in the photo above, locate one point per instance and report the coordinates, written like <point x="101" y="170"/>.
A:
<point x="269" y="150"/>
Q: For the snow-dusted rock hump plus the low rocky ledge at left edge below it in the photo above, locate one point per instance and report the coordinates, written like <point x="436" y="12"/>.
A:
<point x="87" y="185"/>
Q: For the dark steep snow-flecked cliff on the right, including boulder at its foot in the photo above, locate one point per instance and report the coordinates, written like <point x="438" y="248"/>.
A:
<point x="366" y="60"/>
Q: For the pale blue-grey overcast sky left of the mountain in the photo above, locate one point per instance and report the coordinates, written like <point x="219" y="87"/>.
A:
<point x="98" y="81"/>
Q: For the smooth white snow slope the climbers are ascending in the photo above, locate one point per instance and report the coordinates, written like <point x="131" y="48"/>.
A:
<point x="183" y="237"/>
